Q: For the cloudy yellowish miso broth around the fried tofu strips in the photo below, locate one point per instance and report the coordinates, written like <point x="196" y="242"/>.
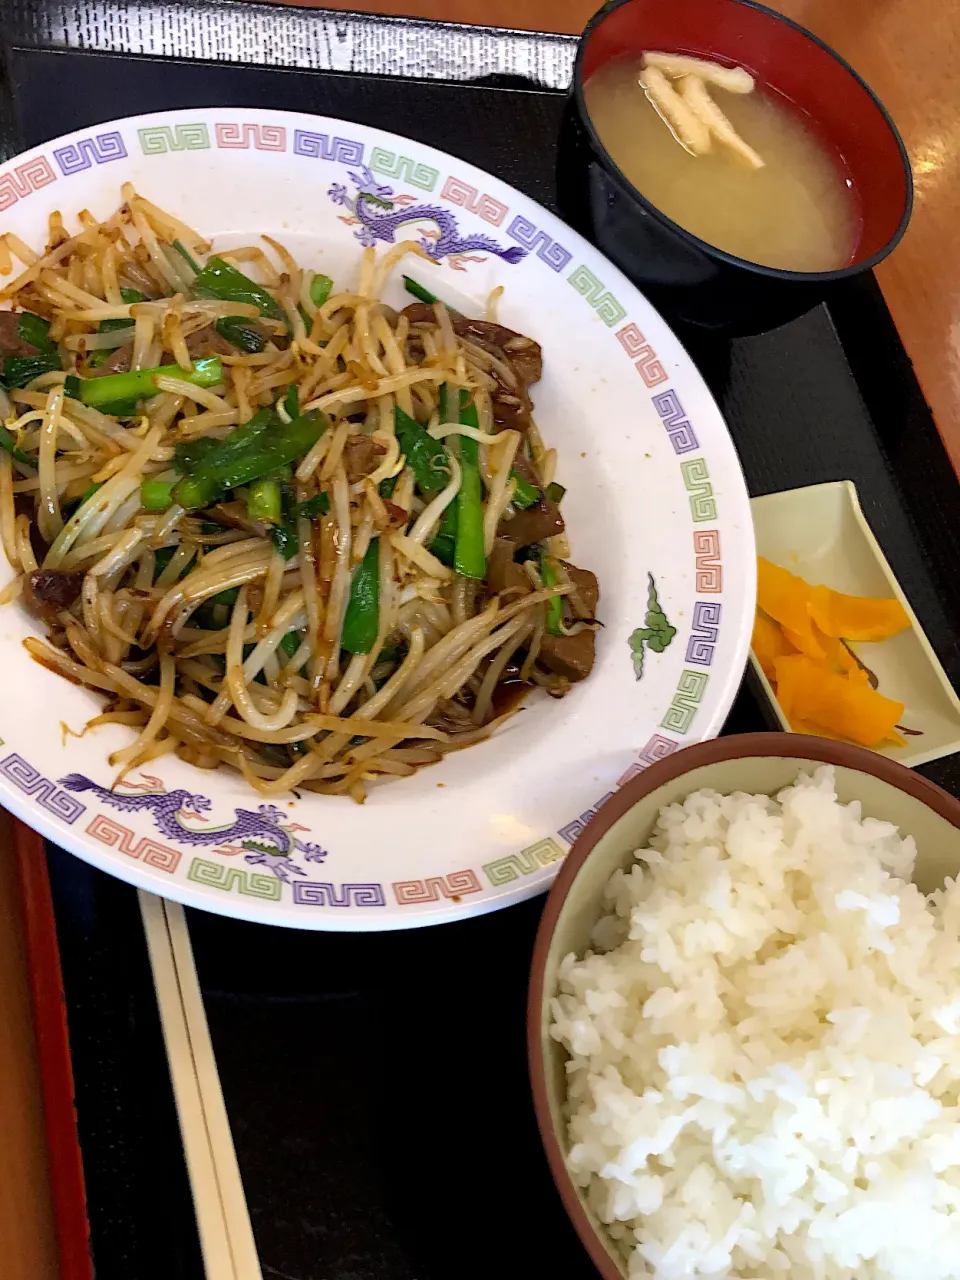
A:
<point x="797" y="213"/>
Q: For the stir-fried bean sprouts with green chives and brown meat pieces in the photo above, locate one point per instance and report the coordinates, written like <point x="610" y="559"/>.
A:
<point x="277" y="523"/>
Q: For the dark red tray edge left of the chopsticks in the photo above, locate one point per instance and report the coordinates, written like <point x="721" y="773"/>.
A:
<point x="54" y="1057"/>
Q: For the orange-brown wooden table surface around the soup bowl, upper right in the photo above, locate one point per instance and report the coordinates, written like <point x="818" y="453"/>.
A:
<point x="909" y="53"/>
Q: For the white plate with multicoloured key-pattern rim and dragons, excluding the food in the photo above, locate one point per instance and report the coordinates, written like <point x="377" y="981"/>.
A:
<point x="655" y="495"/>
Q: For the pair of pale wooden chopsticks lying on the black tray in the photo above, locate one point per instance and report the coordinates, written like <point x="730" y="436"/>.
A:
<point x="223" y="1220"/>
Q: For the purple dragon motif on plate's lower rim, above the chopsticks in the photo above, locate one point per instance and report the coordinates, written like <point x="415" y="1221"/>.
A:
<point x="266" y="838"/>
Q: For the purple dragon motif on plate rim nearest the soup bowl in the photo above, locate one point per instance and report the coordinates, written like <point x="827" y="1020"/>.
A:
<point x="381" y="214"/>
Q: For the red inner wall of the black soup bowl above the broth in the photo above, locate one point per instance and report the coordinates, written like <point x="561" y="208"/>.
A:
<point x="842" y="109"/>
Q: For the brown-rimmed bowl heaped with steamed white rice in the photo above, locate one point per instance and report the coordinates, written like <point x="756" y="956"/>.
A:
<point x="744" y="1020"/>
